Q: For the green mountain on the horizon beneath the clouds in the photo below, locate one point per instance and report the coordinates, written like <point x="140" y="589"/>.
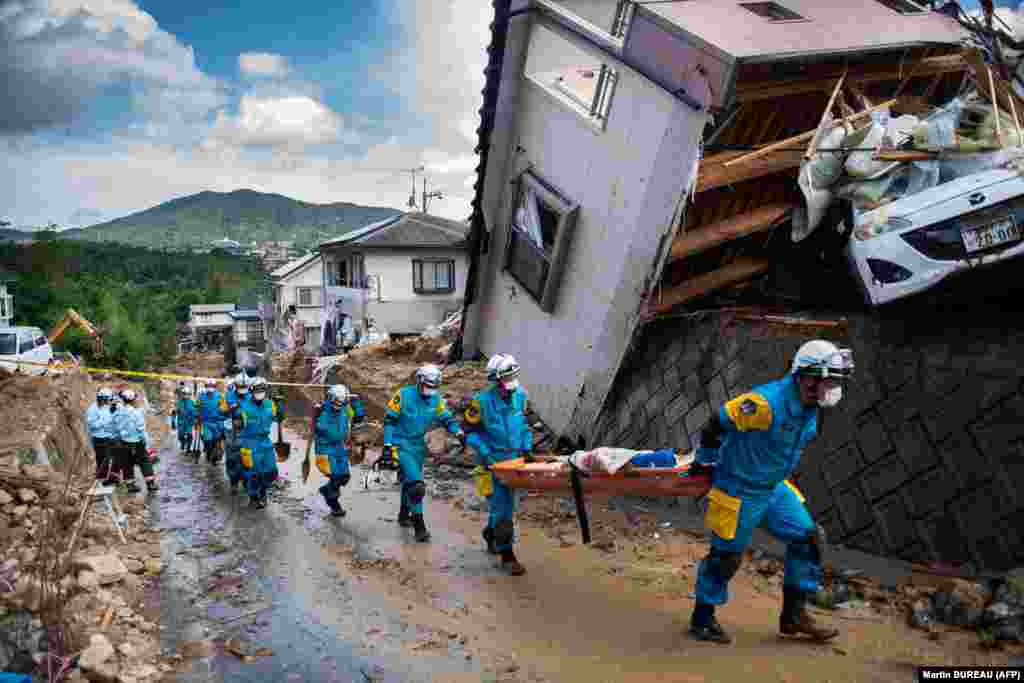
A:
<point x="196" y="222"/>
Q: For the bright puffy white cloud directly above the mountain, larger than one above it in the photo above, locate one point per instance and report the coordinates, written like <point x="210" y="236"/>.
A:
<point x="280" y="121"/>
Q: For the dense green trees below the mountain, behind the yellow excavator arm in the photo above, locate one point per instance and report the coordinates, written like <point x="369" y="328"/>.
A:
<point x="135" y="296"/>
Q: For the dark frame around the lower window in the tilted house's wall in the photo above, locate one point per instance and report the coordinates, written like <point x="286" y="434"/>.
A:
<point x="552" y="264"/>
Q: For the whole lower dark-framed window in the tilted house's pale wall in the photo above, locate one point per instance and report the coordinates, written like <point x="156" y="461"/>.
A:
<point x="539" y="239"/>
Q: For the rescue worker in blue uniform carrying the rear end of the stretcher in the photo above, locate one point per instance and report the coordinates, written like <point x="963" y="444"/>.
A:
<point x="499" y="432"/>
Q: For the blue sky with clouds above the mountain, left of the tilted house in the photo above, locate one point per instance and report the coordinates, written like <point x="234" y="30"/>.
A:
<point x="127" y="104"/>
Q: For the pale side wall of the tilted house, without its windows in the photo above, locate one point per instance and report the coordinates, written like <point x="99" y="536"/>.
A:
<point x="628" y="181"/>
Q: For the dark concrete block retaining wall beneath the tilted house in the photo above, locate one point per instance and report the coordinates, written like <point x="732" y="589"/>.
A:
<point x="923" y="460"/>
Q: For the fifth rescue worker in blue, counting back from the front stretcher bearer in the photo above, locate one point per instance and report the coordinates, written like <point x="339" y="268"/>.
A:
<point x="259" y="457"/>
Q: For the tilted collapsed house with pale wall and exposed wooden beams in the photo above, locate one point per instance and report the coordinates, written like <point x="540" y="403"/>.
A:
<point x="595" y="196"/>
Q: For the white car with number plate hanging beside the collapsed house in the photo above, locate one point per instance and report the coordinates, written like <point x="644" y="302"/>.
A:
<point x="913" y="244"/>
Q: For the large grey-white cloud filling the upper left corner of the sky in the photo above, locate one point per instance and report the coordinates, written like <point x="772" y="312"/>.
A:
<point x="58" y="56"/>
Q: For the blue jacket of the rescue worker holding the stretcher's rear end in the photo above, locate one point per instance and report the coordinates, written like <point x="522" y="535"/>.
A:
<point x="500" y="431"/>
